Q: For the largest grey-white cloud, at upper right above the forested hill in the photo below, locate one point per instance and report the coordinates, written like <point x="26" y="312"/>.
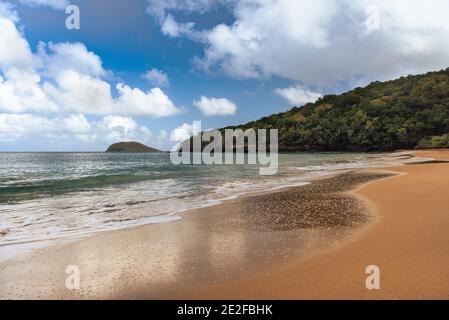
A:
<point x="322" y="42"/>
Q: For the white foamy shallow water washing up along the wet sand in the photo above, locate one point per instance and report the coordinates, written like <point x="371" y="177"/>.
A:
<point x="159" y="201"/>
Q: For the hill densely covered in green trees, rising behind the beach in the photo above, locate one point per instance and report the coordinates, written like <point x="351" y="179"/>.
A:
<point x="400" y="114"/>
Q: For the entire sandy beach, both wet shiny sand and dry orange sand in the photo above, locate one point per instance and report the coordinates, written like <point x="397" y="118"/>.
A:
<point x="307" y="242"/>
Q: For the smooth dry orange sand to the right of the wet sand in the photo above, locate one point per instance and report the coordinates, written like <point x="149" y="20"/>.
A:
<point x="409" y="243"/>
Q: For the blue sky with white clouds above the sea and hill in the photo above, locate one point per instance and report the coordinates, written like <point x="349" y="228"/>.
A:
<point x="145" y="70"/>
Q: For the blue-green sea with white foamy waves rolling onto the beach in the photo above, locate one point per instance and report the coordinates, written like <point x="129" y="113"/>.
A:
<point x="53" y="195"/>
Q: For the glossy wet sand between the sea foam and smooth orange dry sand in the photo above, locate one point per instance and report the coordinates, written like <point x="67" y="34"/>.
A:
<point x="228" y="242"/>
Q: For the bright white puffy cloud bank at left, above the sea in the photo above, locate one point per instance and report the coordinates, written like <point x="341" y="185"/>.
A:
<point x="67" y="78"/>
